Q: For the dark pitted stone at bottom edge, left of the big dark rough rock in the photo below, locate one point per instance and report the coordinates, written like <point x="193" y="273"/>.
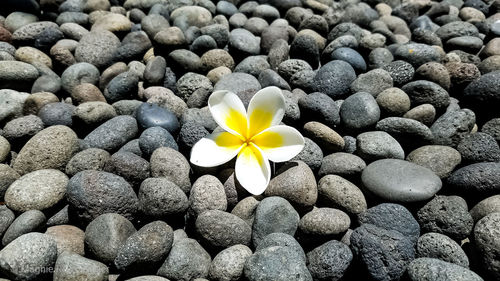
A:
<point x="329" y="261"/>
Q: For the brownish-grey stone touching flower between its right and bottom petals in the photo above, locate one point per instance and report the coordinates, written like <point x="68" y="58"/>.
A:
<point x="294" y="182"/>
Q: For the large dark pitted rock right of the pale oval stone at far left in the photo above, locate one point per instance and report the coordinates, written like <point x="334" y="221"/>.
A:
<point x="93" y="193"/>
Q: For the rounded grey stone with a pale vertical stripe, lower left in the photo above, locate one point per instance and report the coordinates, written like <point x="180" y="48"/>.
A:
<point x="106" y="234"/>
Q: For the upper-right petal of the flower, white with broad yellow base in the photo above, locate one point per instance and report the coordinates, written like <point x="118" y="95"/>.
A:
<point x="266" y="109"/>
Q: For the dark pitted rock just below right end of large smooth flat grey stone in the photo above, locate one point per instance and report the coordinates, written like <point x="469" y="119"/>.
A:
<point x="447" y="215"/>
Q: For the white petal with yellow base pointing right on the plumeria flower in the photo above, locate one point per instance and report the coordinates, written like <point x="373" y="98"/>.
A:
<point x="279" y="143"/>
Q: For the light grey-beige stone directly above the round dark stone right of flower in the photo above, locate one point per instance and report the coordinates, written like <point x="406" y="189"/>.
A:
<point x="373" y="82"/>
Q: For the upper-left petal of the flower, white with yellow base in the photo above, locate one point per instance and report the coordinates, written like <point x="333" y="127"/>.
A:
<point x="229" y="112"/>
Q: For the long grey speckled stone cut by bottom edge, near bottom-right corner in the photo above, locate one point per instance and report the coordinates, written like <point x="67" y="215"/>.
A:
<point x="427" y="269"/>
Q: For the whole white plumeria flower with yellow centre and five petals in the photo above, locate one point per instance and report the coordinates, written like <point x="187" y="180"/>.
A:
<point x="255" y="137"/>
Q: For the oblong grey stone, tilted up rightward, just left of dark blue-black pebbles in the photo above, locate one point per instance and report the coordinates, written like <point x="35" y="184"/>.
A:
<point x="113" y="134"/>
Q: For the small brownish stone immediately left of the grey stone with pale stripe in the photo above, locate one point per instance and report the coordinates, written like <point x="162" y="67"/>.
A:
<point x="68" y="238"/>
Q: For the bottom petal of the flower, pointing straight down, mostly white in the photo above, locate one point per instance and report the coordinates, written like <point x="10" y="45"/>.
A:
<point x="253" y="170"/>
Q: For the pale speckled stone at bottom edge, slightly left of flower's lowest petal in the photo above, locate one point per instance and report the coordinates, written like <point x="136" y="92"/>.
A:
<point x="229" y="263"/>
